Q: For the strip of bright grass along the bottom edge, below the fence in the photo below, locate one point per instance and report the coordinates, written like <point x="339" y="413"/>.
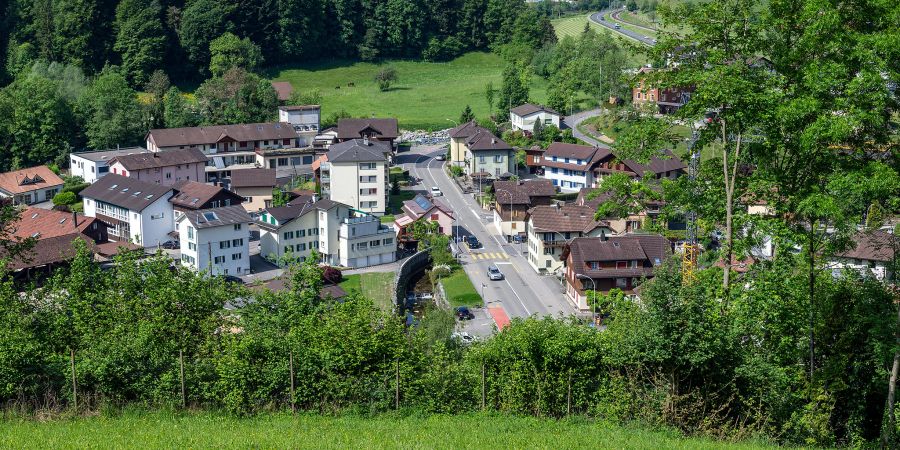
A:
<point x="134" y="429"/>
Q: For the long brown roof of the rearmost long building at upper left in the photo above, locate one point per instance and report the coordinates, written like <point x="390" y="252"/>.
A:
<point x="171" y="137"/>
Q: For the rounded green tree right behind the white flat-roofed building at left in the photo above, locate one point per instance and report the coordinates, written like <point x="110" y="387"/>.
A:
<point x="111" y="112"/>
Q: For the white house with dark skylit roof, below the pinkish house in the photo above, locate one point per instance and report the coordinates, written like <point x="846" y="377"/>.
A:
<point x="136" y="211"/>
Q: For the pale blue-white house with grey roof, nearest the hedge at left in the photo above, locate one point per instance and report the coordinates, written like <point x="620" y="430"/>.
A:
<point x="215" y="240"/>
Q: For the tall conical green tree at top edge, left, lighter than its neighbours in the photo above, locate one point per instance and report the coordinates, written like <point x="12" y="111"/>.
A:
<point x="140" y="38"/>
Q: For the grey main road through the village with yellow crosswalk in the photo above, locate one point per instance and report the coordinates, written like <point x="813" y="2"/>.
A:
<point x="523" y="292"/>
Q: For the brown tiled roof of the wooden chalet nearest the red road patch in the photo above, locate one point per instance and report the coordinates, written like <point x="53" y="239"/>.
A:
<point x="650" y="249"/>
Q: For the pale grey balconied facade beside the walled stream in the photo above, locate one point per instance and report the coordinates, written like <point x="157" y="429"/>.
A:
<point x="364" y="241"/>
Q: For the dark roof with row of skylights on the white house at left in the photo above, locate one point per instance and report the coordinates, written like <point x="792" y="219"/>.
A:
<point x="125" y="192"/>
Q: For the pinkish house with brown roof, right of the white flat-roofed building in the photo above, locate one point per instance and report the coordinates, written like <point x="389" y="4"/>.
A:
<point x="165" y="168"/>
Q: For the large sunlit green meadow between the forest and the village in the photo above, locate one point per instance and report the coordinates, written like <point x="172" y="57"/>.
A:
<point x="428" y="95"/>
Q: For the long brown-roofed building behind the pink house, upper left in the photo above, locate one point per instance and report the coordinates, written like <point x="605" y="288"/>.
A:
<point x="227" y="147"/>
